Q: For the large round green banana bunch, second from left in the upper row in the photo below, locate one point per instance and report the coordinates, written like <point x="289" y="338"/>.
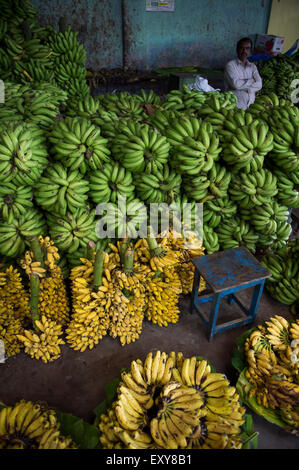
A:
<point x="79" y="145"/>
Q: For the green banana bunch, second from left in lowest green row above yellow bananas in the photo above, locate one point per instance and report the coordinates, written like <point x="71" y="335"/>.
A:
<point x="70" y="232"/>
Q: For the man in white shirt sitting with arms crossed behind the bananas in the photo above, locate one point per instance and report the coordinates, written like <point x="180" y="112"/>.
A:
<point x="242" y="77"/>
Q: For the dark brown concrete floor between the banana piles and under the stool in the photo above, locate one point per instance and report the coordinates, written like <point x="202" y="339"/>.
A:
<point x="75" y="383"/>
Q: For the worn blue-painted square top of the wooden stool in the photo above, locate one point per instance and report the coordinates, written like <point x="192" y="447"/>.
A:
<point x="230" y="268"/>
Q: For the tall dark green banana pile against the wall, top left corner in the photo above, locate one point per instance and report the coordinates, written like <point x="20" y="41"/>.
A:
<point x="31" y="53"/>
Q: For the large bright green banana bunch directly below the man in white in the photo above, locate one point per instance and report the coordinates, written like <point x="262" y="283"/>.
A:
<point x="245" y="147"/>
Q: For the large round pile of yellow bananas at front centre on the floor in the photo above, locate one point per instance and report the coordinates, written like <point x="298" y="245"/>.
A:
<point x="172" y="402"/>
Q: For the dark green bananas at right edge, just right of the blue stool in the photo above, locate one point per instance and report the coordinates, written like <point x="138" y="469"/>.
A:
<point x="283" y="285"/>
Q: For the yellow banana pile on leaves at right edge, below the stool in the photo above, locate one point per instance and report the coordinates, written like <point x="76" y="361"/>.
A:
<point x="271" y="353"/>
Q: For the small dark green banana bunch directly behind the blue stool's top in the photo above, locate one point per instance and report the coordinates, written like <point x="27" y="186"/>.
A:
<point x="235" y="232"/>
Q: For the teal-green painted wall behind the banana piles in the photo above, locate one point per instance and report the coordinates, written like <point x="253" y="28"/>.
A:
<point x="198" y="32"/>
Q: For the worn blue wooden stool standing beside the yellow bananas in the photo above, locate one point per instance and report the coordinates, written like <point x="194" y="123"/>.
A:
<point x="227" y="272"/>
